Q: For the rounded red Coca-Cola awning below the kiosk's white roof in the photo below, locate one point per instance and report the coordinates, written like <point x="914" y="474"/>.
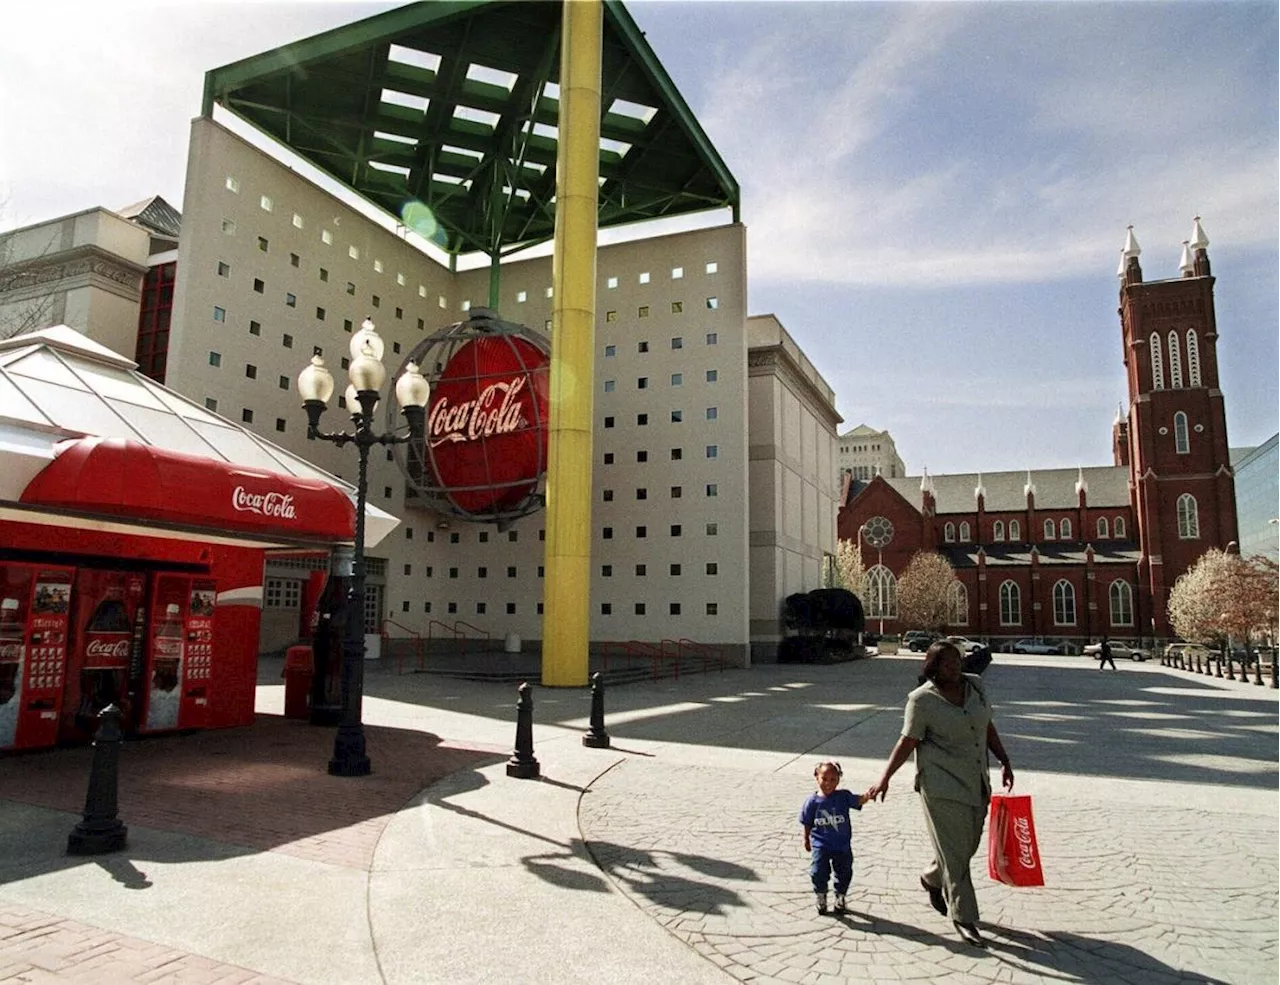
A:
<point x="118" y="478"/>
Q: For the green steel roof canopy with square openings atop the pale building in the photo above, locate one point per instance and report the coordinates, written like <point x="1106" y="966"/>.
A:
<point x="452" y="106"/>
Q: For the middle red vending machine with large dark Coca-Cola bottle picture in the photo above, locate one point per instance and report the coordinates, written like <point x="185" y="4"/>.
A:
<point x="108" y="612"/>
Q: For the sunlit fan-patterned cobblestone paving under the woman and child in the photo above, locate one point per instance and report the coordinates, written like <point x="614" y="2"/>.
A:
<point x="1135" y="895"/>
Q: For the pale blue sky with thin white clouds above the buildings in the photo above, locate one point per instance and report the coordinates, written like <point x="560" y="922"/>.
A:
<point x="935" y="195"/>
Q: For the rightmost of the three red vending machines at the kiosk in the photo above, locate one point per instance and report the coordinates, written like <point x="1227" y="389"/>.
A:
<point x="179" y="671"/>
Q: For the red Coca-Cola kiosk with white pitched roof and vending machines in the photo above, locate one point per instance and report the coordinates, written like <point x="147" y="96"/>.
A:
<point x="134" y="532"/>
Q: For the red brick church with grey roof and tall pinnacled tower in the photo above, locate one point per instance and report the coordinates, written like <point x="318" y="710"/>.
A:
<point x="1080" y="553"/>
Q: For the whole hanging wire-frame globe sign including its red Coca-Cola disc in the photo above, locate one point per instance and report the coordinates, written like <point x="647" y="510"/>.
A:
<point x="487" y="430"/>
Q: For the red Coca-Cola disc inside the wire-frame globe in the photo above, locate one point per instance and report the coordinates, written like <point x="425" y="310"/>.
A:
<point x="487" y="424"/>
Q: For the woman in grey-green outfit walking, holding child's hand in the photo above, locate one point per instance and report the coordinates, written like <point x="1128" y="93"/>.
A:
<point x="948" y="726"/>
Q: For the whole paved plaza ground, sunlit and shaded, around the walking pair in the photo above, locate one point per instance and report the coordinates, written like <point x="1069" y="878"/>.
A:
<point x="674" y="856"/>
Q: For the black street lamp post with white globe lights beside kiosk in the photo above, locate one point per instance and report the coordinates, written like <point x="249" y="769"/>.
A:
<point x="316" y="387"/>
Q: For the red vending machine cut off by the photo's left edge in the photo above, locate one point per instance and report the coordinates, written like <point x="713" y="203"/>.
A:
<point x="35" y="603"/>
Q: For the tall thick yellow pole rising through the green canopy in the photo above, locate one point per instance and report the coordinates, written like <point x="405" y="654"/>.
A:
<point x="568" y="584"/>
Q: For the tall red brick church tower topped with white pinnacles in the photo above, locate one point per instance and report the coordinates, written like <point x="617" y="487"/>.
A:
<point x="1181" y="478"/>
